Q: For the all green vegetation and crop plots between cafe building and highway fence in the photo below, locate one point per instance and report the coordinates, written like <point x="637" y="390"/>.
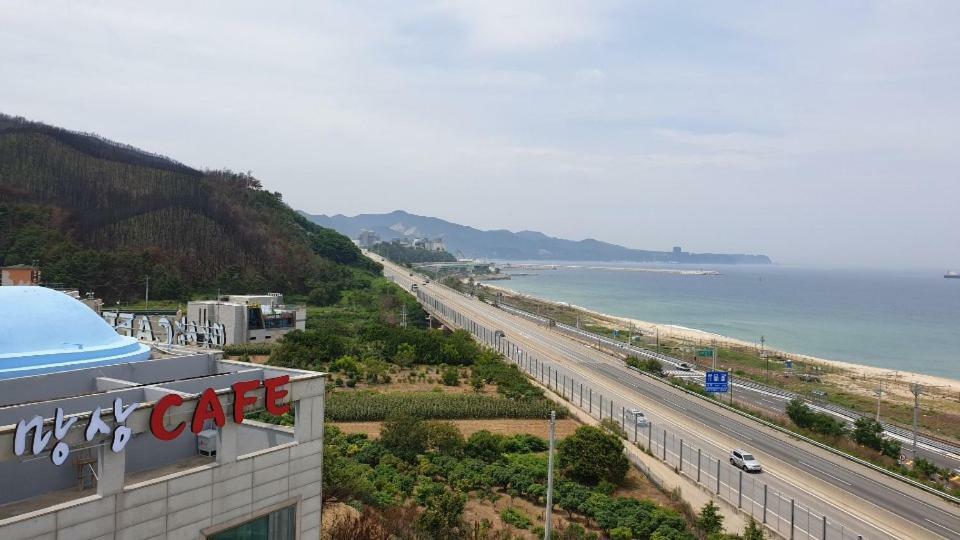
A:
<point x="421" y="478"/>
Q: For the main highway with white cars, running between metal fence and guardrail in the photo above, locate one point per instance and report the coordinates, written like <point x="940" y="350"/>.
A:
<point x="851" y="499"/>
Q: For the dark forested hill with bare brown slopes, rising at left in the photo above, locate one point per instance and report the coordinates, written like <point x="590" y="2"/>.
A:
<point x="102" y="216"/>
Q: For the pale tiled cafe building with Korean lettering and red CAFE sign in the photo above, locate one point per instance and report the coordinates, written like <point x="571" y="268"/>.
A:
<point x="165" y="447"/>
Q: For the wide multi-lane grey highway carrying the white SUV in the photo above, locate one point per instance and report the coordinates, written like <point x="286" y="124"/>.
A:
<point x="855" y="499"/>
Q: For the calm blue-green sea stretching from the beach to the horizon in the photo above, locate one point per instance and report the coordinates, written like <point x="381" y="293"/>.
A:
<point x="902" y="320"/>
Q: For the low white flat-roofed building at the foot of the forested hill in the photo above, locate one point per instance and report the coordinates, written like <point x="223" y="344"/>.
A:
<point x="249" y="318"/>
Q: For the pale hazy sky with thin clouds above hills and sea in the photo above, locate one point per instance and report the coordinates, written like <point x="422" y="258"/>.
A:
<point x="819" y="132"/>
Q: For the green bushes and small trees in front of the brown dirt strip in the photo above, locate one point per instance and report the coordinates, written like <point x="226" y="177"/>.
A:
<point x="431" y="472"/>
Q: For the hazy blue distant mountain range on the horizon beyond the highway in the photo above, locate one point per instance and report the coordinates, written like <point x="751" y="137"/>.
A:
<point x="503" y="244"/>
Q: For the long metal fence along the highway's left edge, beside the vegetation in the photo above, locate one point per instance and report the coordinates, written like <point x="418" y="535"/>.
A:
<point x="784" y="514"/>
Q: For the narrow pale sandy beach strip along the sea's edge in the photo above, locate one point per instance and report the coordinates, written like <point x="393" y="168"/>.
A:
<point x="943" y="384"/>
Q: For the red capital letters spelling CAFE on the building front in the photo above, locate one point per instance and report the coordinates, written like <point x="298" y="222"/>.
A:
<point x="209" y="408"/>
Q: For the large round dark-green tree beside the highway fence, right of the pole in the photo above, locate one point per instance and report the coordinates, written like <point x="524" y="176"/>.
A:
<point x="592" y="454"/>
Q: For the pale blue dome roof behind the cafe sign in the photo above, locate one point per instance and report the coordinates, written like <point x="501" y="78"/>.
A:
<point x="44" y="330"/>
